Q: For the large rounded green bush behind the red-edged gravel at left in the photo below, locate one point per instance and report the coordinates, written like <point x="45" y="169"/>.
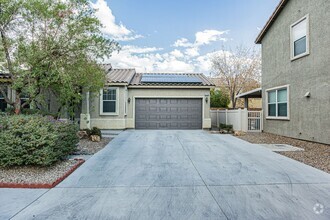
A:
<point x="35" y="140"/>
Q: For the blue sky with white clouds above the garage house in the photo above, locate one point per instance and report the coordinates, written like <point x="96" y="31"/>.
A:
<point x="179" y="35"/>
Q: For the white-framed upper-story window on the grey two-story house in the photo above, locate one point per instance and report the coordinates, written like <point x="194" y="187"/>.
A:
<point x="300" y="38"/>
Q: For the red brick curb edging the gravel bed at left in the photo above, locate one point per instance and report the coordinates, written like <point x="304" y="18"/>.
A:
<point x="43" y="185"/>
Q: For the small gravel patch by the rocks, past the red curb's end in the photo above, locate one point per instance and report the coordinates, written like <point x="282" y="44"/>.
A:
<point x="87" y="147"/>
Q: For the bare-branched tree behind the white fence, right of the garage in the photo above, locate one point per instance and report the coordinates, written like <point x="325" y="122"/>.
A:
<point x="238" y="70"/>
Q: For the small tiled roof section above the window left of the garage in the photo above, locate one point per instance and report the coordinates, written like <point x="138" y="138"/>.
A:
<point x="120" y="75"/>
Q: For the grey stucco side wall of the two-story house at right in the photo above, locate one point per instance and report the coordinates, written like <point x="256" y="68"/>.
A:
<point x="309" y="118"/>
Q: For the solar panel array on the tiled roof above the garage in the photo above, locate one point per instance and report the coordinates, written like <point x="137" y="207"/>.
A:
<point x="169" y="78"/>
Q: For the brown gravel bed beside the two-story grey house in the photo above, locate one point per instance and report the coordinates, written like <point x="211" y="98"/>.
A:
<point x="314" y="154"/>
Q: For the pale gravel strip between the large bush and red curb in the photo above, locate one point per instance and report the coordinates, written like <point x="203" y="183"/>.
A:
<point x="36" y="175"/>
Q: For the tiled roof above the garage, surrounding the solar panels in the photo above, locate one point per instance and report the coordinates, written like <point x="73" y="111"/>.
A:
<point x="203" y="81"/>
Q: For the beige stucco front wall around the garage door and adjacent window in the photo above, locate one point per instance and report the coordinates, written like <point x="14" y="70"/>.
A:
<point x="122" y="121"/>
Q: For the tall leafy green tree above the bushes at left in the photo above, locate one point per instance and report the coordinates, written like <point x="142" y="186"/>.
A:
<point x="52" y="45"/>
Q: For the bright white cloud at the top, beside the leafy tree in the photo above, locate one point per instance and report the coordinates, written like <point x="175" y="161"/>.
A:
<point x="117" y="31"/>
